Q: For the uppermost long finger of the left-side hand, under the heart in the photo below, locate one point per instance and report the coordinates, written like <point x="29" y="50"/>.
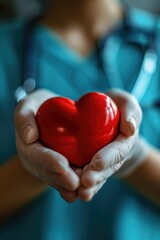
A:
<point x="48" y="165"/>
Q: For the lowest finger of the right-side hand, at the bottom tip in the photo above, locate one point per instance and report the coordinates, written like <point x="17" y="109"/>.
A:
<point x="87" y="194"/>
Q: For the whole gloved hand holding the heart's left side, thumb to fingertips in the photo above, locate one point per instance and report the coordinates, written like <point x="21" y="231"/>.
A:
<point x="50" y="166"/>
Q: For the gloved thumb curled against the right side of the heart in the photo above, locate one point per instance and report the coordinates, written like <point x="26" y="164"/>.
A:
<point x="131" y="113"/>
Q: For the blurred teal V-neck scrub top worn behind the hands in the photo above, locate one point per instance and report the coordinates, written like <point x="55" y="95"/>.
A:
<point x="117" y="212"/>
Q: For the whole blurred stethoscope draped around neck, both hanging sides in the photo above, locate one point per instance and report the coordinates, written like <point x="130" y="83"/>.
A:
<point x="106" y="55"/>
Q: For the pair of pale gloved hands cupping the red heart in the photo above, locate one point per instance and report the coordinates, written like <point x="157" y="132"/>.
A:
<point x="53" y="168"/>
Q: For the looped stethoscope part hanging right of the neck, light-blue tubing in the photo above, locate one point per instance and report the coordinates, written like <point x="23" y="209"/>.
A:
<point x="147" y="40"/>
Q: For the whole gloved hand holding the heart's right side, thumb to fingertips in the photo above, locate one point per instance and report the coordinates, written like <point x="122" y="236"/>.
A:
<point x="126" y="148"/>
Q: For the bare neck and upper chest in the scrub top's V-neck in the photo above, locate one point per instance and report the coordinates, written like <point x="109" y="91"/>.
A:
<point x="83" y="22"/>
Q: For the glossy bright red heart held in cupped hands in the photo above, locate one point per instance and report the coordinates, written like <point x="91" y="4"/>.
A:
<point x="78" y="129"/>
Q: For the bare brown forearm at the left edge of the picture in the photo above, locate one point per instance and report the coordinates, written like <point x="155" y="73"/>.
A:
<point x="17" y="187"/>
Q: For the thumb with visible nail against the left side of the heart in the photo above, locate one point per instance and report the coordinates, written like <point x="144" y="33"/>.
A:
<point x="25" y="122"/>
